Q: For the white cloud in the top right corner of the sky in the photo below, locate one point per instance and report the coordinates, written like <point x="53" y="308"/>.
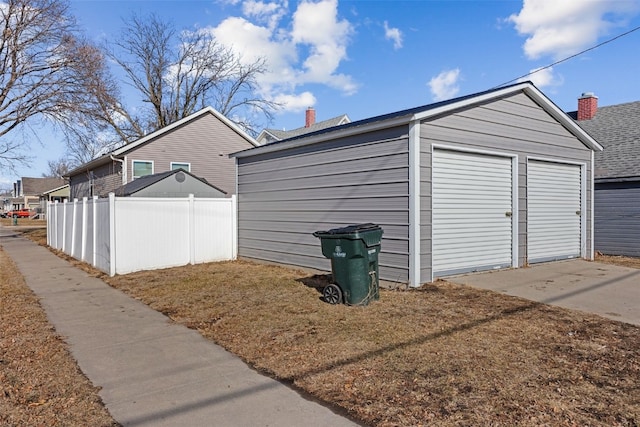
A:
<point x="560" y="28"/>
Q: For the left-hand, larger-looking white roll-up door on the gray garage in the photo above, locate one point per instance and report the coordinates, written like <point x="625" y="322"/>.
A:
<point x="472" y="208"/>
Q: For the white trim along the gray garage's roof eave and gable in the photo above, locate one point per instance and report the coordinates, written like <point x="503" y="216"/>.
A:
<point x="526" y="87"/>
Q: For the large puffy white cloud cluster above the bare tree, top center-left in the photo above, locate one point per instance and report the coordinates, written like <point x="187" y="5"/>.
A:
<point x="310" y="51"/>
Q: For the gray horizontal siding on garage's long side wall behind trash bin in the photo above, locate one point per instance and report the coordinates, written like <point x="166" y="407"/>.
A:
<point x="287" y="195"/>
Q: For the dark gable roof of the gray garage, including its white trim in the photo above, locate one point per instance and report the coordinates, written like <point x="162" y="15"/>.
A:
<point x="405" y="117"/>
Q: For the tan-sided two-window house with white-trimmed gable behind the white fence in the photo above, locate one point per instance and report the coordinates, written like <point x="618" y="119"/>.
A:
<point x="199" y="144"/>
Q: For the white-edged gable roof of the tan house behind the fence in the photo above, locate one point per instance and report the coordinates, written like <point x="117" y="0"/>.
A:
<point x="128" y="147"/>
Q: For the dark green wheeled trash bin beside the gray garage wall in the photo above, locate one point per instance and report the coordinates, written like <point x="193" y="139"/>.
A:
<point x="353" y="251"/>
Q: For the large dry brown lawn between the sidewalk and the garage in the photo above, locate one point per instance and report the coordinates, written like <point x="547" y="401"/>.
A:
<point x="440" y="355"/>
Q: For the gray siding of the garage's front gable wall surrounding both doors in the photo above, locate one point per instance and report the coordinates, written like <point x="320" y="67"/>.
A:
<point x="508" y="126"/>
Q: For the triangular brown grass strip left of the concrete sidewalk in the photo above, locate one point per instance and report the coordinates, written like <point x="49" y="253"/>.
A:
<point x="40" y="383"/>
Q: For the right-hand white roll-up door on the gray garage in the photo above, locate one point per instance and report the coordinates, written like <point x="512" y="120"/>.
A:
<point x="554" y="211"/>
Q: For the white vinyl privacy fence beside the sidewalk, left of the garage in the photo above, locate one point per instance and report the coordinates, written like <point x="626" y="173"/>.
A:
<point x="121" y="235"/>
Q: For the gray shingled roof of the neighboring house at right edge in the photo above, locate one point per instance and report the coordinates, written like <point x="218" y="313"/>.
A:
<point x="617" y="129"/>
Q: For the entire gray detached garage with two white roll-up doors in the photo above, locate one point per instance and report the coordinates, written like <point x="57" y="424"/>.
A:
<point x="497" y="179"/>
